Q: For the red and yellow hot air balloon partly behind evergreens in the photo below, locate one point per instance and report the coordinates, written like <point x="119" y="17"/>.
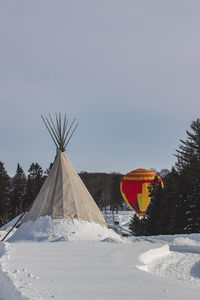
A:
<point x="135" y="189"/>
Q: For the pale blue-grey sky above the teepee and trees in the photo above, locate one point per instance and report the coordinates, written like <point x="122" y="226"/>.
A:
<point x="128" y="70"/>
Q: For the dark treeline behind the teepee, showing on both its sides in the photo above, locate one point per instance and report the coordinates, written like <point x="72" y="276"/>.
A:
<point x="19" y="192"/>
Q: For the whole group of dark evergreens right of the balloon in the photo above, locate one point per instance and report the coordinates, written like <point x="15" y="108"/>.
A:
<point x="175" y="209"/>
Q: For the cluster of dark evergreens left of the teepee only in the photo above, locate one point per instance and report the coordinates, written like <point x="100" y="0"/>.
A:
<point x="17" y="193"/>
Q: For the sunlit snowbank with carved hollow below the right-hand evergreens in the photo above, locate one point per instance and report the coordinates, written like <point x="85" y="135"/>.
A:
<point x="179" y="259"/>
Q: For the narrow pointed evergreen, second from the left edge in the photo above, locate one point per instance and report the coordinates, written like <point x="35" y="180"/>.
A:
<point x="18" y="193"/>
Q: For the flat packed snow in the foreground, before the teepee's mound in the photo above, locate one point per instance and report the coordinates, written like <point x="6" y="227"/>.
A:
<point x="89" y="270"/>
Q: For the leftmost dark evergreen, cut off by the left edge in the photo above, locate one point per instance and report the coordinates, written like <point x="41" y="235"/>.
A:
<point x="4" y="195"/>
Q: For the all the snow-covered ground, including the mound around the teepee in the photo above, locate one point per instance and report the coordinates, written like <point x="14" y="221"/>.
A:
<point x="88" y="262"/>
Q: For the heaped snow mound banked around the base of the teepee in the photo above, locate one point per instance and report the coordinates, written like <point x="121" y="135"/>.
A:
<point x="54" y="230"/>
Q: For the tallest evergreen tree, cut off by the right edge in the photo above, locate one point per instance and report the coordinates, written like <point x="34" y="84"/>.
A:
<point x="188" y="167"/>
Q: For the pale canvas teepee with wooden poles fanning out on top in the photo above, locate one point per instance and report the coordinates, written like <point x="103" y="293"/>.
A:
<point x="63" y="194"/>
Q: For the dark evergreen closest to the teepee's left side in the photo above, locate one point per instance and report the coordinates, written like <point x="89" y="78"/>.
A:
<point x="34" y="183"/>
